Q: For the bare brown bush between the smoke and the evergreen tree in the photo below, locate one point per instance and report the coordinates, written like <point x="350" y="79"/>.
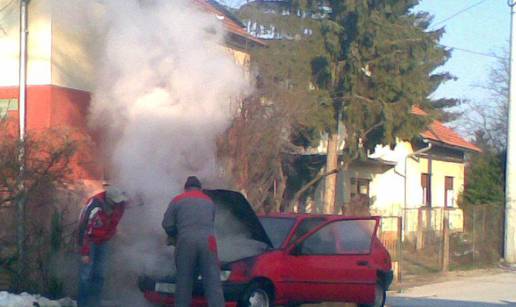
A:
<point x="257" y="148"/>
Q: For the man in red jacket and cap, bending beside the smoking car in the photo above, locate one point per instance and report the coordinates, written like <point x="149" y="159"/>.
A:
<point x="97" y="225"/>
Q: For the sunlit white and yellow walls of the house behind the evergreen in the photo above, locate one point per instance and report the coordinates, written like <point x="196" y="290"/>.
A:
<point x="387" y="183"/>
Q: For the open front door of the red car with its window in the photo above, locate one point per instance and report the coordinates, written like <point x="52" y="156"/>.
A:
<point x="331" y="263"/>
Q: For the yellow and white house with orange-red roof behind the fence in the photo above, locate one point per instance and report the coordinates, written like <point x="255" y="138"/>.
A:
<point x="425" y="173"/>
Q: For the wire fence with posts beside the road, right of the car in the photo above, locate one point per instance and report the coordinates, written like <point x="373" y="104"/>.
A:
<point x="442" y="239"/>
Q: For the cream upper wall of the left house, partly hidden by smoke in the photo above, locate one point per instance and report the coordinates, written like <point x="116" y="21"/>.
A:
<point x="62" y="44"/>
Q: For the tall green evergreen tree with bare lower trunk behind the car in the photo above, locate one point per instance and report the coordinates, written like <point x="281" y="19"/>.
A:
<point x="365" y="63"/>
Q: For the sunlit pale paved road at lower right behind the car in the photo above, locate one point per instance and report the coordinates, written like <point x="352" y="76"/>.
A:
<point x="489" y="290"/>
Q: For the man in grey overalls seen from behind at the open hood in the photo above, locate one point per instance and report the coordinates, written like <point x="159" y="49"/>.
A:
<point x="190" y="218"/>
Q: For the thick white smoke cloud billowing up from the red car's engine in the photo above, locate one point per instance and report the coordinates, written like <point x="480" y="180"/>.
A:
<point x="163" y="90"/>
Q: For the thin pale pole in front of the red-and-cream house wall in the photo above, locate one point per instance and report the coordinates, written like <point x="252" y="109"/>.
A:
<point x="21" y="197"/>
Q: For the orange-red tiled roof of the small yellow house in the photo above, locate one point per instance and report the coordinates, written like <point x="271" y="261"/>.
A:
<point x="438" y="132"/>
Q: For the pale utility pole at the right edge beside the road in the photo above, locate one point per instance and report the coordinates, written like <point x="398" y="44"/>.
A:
<point x="510" y="185"/>
